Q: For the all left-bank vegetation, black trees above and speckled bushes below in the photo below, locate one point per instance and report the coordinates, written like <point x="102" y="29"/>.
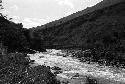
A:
<point x="15" y="66"/>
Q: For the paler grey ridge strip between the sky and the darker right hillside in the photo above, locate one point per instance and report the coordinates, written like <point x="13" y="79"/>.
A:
<point x="102" y="4"/>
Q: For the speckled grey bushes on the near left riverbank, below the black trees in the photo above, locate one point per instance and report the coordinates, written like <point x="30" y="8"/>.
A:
<point x="16" y="70"/>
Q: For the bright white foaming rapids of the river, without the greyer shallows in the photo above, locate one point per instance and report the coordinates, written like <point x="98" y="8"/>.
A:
<point x="72" y="65"/>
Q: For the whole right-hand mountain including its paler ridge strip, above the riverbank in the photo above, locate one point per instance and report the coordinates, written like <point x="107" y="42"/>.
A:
<point x="86" y="29"/>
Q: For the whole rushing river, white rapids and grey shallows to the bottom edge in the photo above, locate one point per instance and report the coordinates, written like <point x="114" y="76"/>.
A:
<point x="71" y="66"/>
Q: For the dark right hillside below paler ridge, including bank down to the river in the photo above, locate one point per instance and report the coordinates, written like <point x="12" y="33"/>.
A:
<point x="102" y="31"/>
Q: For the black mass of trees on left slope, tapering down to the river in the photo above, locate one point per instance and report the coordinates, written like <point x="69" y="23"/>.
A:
<point x="15" y="37"/>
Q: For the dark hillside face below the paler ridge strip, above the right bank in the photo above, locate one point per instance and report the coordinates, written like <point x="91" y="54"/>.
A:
<point x="86" y="29"/>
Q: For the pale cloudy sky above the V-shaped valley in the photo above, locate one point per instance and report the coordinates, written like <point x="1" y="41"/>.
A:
<point x="34" y="13"/>
